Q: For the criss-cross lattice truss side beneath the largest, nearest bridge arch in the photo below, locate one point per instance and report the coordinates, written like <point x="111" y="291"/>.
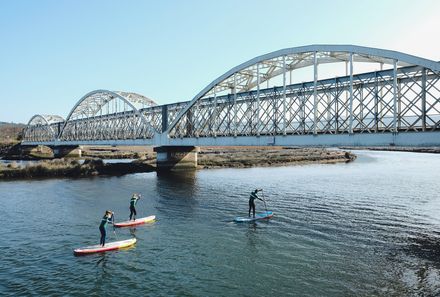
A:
<point x="366" y="104"/>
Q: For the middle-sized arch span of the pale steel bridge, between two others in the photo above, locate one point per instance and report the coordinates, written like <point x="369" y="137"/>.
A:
<point x="108" y="115"/>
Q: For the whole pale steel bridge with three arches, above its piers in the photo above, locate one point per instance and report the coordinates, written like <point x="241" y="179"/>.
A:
<point x="394" y="99"/>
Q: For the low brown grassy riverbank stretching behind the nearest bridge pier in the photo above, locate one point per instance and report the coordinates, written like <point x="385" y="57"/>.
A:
<point x="209" y="157"/>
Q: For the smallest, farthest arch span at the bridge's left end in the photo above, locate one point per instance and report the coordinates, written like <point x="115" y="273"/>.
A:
<point x="42" y="127"/>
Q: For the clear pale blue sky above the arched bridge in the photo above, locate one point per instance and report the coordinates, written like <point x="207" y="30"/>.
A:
<point x="53" y="52"/>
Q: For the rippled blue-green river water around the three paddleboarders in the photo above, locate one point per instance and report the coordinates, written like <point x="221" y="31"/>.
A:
<point x="367" y="228"/>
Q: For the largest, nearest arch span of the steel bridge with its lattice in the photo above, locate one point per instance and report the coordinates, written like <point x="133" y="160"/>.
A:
<point x="405" y="97"/>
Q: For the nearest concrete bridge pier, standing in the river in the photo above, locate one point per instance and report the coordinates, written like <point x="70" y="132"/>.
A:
<point x="176" y="157"/>
